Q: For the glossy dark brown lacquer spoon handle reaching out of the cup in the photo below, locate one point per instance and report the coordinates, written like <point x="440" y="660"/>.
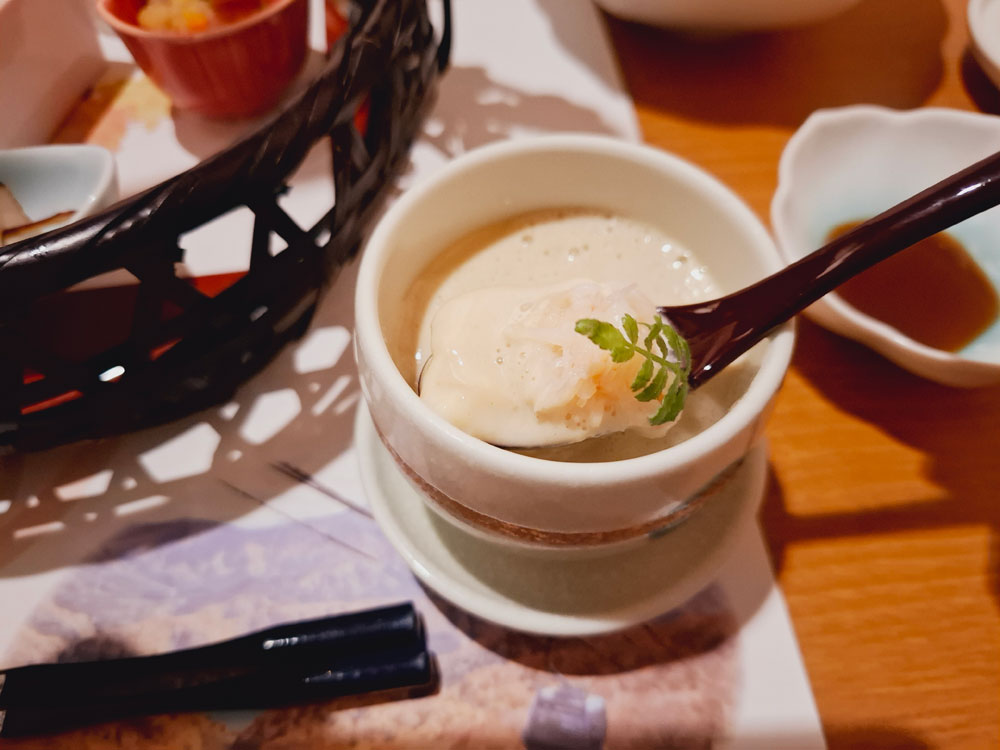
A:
<point x="720" y="330"/>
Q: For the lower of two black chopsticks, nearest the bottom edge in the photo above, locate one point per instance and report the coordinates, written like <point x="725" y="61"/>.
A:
<point x="415" y="673"/>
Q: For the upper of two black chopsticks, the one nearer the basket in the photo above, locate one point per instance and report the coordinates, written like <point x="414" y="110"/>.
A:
<point x="356" y="638"/>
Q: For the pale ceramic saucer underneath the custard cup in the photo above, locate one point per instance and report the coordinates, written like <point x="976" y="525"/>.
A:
<point x="562" y="597"/>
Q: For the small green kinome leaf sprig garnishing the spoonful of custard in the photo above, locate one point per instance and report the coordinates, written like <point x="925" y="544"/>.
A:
<point x="656" y="368"/>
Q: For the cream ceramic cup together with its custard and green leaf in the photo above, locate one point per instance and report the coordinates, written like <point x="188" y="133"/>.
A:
<point x="511" y="356"/>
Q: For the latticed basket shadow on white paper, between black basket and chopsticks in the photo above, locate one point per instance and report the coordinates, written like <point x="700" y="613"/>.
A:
<point x="211" y="467"/>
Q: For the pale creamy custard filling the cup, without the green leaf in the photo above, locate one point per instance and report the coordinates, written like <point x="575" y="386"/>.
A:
<point x="493" y="345"/>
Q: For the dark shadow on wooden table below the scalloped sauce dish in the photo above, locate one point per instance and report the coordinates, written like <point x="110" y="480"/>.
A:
<point x="954" y="429"/>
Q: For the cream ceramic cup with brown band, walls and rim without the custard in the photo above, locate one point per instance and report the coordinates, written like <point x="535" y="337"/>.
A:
<point x="525" y="500"/>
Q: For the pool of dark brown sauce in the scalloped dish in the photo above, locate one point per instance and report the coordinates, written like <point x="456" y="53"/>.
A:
<point x="933" y="292"/>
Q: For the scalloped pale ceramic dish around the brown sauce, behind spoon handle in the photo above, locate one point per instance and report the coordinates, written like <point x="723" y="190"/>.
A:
<point x="849" y="164"/>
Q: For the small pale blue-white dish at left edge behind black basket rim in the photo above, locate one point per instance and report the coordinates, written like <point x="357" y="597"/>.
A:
<point x="47" y="180"/>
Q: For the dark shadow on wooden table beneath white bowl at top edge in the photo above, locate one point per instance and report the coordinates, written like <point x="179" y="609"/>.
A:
<point x="879" y="52"/>
